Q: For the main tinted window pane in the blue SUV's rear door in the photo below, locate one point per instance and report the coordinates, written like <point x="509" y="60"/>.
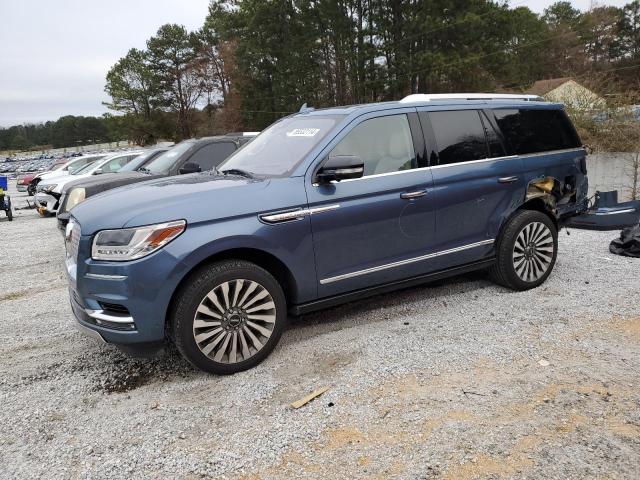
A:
<point x="460" y="136"/>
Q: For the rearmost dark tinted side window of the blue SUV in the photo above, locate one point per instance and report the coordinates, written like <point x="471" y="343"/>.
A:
<point x="532" y="131"/>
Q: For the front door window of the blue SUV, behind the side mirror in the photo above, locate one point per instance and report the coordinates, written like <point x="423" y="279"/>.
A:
<point x="383" y="144"/>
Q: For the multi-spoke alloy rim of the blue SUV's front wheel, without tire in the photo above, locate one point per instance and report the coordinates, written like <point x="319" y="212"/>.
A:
<point x="234" y="321"/>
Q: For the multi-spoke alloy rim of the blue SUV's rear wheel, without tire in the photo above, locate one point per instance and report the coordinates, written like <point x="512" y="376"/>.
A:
<point x="533" y="251"/>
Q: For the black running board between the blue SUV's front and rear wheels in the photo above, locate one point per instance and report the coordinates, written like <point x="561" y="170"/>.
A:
<point x="387" y="287"/>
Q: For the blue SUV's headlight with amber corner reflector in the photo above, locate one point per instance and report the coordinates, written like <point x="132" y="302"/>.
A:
<point x="130" y="243"/>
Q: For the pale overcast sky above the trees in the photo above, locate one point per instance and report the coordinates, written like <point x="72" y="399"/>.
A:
<point x="55" y="54"/>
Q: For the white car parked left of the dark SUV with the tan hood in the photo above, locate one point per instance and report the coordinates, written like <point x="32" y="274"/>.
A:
<point x="49" y="190"/>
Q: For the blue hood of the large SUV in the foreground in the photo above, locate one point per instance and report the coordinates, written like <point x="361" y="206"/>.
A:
<point x="196" y="198"/>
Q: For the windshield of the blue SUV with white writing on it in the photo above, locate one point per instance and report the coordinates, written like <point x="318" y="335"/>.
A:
<point x="282" y="146"/>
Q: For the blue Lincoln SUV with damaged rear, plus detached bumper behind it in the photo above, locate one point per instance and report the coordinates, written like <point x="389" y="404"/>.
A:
<point x="329" y="206"/>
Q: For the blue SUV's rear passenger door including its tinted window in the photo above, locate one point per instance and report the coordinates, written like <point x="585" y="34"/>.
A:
<point x="477" y="185"/>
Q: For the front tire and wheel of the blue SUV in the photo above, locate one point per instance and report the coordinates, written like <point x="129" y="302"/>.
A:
<point x="219" y="310"/>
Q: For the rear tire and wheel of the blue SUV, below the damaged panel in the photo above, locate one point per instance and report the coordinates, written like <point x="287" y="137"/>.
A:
<point x="526" y="251"/>
